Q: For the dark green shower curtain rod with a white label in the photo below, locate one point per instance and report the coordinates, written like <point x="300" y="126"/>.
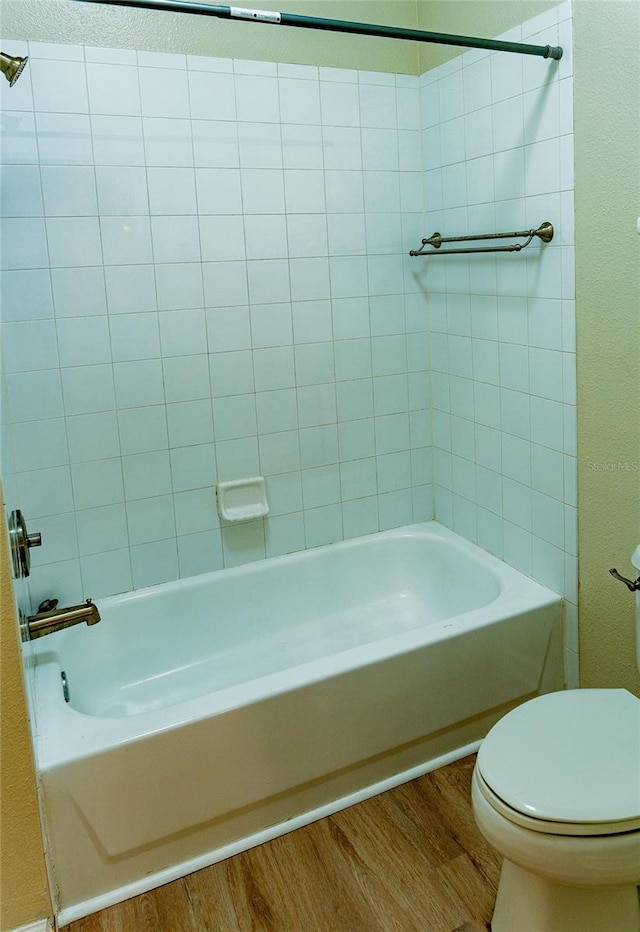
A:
<point x="336" y="25"/>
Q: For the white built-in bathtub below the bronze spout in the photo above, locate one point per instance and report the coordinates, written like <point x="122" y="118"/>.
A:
<point x="208" y="715"/>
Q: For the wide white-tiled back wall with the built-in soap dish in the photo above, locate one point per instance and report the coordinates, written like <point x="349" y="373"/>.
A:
<point x="205" y="276"/>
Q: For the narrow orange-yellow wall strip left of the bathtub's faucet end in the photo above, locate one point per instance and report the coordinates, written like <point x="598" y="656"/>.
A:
<point x="23" y="882"/>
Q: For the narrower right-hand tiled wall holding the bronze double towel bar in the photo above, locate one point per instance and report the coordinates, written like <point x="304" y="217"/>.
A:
<point x="498" y="153"/>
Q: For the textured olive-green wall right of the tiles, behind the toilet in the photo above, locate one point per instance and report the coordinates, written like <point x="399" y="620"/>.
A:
<point x="607" y="51"/>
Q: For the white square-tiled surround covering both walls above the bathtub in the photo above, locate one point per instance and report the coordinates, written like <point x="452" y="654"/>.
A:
<point x="206" y="276"/>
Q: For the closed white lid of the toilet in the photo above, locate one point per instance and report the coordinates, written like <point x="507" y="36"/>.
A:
<point x="570" y="756"/>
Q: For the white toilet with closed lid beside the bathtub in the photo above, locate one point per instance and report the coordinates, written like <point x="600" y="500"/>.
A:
<point x="556" y="791"/>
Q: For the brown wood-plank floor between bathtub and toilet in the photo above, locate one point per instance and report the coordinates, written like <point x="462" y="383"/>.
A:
<point x="409" y="860"/>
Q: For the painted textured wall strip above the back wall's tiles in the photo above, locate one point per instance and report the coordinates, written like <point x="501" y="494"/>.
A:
<point x="108" y="26"/>
